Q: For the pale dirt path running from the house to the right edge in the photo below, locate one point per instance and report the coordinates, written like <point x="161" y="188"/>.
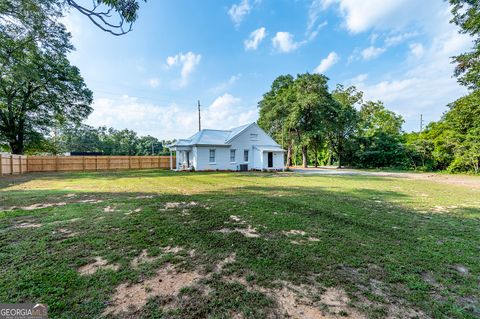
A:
<point x="450" y="179"/>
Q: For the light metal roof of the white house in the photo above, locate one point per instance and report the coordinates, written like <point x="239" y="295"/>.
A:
<point x="212" y="137"/>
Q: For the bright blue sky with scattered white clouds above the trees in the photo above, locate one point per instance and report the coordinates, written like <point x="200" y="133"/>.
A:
<point x="227" y="53"/>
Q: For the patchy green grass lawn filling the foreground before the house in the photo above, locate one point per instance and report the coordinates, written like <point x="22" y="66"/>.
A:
<point x="158" y="244"/>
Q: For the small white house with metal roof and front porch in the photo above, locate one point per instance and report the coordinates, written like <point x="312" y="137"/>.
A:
<point x="240" y="149"/>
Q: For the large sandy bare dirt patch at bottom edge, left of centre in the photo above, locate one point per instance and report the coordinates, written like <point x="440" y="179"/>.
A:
<point x="168" y="282"/>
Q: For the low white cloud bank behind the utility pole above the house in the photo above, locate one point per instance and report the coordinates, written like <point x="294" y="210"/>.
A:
<point x="170" y="121"/>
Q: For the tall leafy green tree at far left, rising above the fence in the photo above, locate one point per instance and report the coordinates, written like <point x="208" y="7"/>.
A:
<point x="39" y="88"/>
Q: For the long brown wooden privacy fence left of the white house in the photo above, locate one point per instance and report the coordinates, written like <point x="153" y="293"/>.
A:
<point x="19" y="164"/>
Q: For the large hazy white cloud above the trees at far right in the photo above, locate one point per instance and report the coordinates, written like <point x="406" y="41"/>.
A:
<point x="426" y="86"/>
